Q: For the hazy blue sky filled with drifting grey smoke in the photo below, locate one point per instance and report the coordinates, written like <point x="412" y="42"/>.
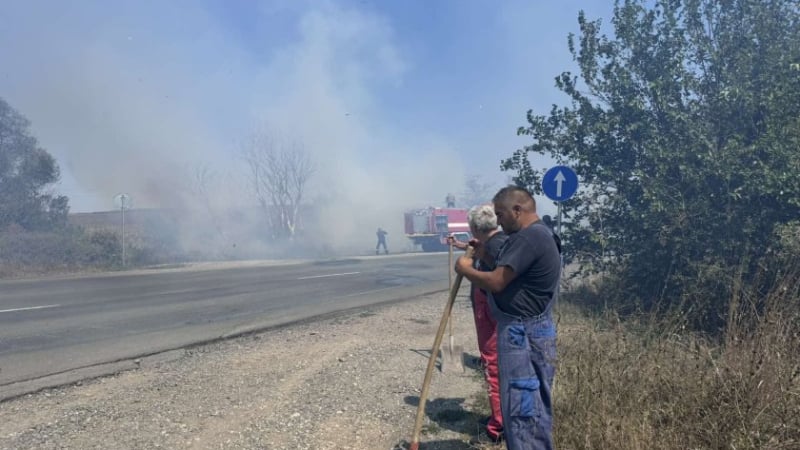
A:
<point x="396" y="99"/>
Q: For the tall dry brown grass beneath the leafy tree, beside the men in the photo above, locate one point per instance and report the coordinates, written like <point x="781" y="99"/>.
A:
<point x="650" y="384"/>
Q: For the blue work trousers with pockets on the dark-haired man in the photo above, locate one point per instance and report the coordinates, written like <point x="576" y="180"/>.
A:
<point x="526" y="349"/>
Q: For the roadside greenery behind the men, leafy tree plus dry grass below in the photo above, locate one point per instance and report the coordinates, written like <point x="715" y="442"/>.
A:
<point x="681" y="327"/>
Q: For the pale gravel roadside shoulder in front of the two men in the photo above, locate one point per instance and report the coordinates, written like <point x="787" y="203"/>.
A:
<point x="349" y="382"/>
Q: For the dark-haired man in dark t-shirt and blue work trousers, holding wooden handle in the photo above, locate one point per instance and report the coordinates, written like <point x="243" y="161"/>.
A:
<point x="525" y="286"/>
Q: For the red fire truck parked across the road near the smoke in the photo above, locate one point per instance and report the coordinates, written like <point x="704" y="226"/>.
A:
<point x="429" y="227"/>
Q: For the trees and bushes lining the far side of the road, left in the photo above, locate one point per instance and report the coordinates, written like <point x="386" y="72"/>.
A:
<point x="39" y="235"/>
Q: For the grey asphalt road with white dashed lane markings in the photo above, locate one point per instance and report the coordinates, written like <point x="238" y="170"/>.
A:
<point x="56" y="326"/>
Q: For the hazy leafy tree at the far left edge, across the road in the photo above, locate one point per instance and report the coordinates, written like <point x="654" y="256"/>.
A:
<point x="27" y="171"/>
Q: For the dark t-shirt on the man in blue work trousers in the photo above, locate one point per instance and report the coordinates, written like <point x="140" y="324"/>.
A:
<point x="533" y="255"/>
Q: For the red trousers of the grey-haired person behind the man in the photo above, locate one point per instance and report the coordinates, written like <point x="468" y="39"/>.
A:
<point x="487" y="345"/>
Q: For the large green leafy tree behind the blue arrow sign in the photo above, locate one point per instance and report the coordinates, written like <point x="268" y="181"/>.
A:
<point x="684" y="128"/>
